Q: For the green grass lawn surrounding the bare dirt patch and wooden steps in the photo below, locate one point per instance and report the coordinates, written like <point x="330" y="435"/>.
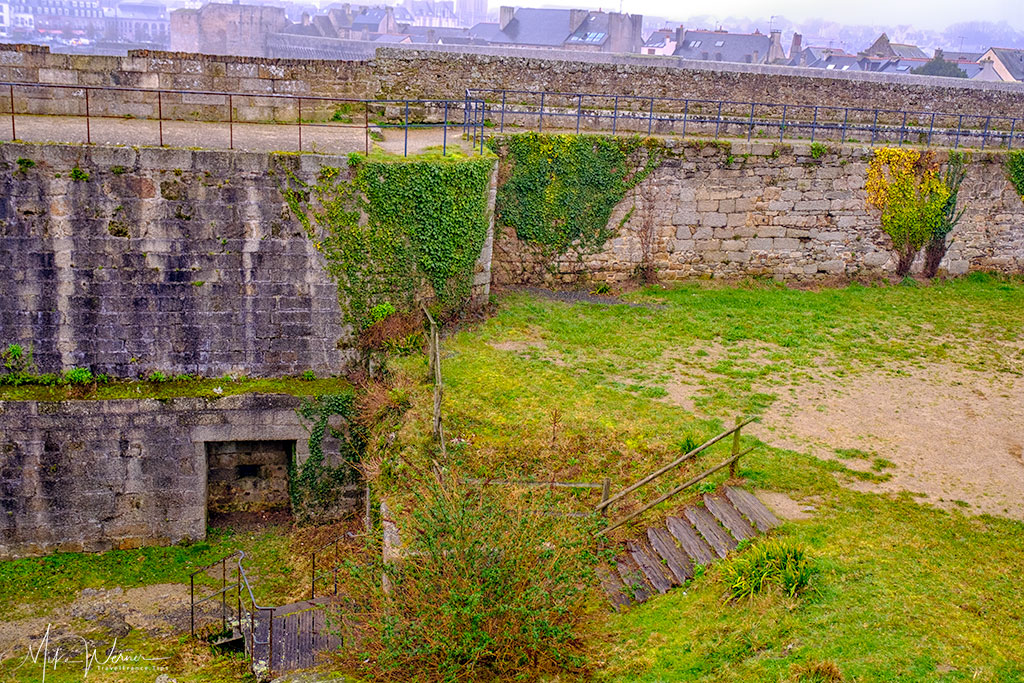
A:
<point x="904" y="592"/>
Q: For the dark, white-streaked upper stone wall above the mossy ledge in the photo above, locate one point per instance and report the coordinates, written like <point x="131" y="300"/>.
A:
<point x="176" y="261"/>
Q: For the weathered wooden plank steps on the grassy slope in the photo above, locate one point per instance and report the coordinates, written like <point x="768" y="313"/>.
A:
<point x="666" y="557"/>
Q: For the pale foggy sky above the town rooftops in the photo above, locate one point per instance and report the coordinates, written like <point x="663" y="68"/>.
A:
<point x="933" y="15"/>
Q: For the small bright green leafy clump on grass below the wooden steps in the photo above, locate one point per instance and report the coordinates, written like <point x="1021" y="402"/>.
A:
<point x="771" y="565"/>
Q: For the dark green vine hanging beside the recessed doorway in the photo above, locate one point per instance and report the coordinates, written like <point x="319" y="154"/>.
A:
<point x="314" y="485"/>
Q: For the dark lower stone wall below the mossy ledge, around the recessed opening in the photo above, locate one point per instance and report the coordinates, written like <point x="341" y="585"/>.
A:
<point x="92" y="476"/>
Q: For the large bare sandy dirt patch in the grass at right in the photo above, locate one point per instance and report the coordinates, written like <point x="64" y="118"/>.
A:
<point x="953" y="436"/>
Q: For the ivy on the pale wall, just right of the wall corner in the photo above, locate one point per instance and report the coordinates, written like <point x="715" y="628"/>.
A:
<point x="560" y="191"/>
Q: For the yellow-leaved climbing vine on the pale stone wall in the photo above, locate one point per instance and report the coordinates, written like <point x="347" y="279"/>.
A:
<point x="906" y="187"/>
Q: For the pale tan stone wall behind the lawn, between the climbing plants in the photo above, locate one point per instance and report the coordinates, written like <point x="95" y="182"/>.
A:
<point x="763" y="209"/>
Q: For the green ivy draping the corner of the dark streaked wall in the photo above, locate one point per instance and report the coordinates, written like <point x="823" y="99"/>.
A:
<point x="390" y="227"/>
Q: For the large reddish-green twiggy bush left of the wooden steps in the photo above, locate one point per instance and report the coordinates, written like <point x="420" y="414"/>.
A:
<point x="486" y="590"/>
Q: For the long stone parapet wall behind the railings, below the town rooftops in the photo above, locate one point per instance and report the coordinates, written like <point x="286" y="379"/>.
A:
<point x="399" y="73"/>
